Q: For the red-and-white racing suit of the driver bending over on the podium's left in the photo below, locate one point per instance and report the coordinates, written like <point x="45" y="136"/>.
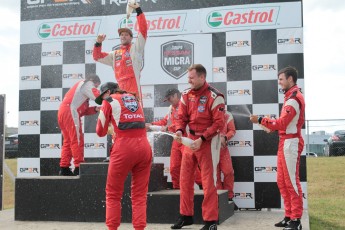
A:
<point x="75" y="105"/>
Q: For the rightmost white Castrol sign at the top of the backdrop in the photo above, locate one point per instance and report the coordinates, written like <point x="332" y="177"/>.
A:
<point x="254" y="16"/>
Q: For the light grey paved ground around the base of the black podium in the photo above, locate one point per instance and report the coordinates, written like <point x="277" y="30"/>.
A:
<point x="242" y="220"/>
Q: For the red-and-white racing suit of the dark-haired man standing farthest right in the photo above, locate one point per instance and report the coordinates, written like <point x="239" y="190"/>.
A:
<point x="291" y="144"/>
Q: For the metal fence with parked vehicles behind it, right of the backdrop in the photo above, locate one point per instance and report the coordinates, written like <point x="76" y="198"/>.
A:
<point x="325" y="137"/>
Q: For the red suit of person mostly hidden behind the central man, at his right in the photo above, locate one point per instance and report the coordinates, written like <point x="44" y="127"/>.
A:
<point x="225" y="163"/>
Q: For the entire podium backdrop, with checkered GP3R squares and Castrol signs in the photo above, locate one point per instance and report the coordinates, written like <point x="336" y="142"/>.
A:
<point x="242" y="46"/>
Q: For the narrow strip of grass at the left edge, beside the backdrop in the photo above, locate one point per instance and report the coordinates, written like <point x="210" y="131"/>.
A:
<point x="8" y="195"/>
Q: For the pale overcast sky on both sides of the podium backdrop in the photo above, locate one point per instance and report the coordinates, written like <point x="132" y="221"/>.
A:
<point x="324" y="58"/>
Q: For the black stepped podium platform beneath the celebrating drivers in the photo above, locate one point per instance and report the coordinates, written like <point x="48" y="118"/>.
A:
<point x="82" y="198"/>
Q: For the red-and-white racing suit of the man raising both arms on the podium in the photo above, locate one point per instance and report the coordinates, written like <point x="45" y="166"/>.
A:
<point x="127" y="60"/>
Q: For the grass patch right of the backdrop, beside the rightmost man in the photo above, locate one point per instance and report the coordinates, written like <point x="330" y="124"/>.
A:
<point x="326" y="192"/>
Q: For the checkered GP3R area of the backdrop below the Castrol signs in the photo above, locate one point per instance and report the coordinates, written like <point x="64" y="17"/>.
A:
<point x="242" y="63"/>
